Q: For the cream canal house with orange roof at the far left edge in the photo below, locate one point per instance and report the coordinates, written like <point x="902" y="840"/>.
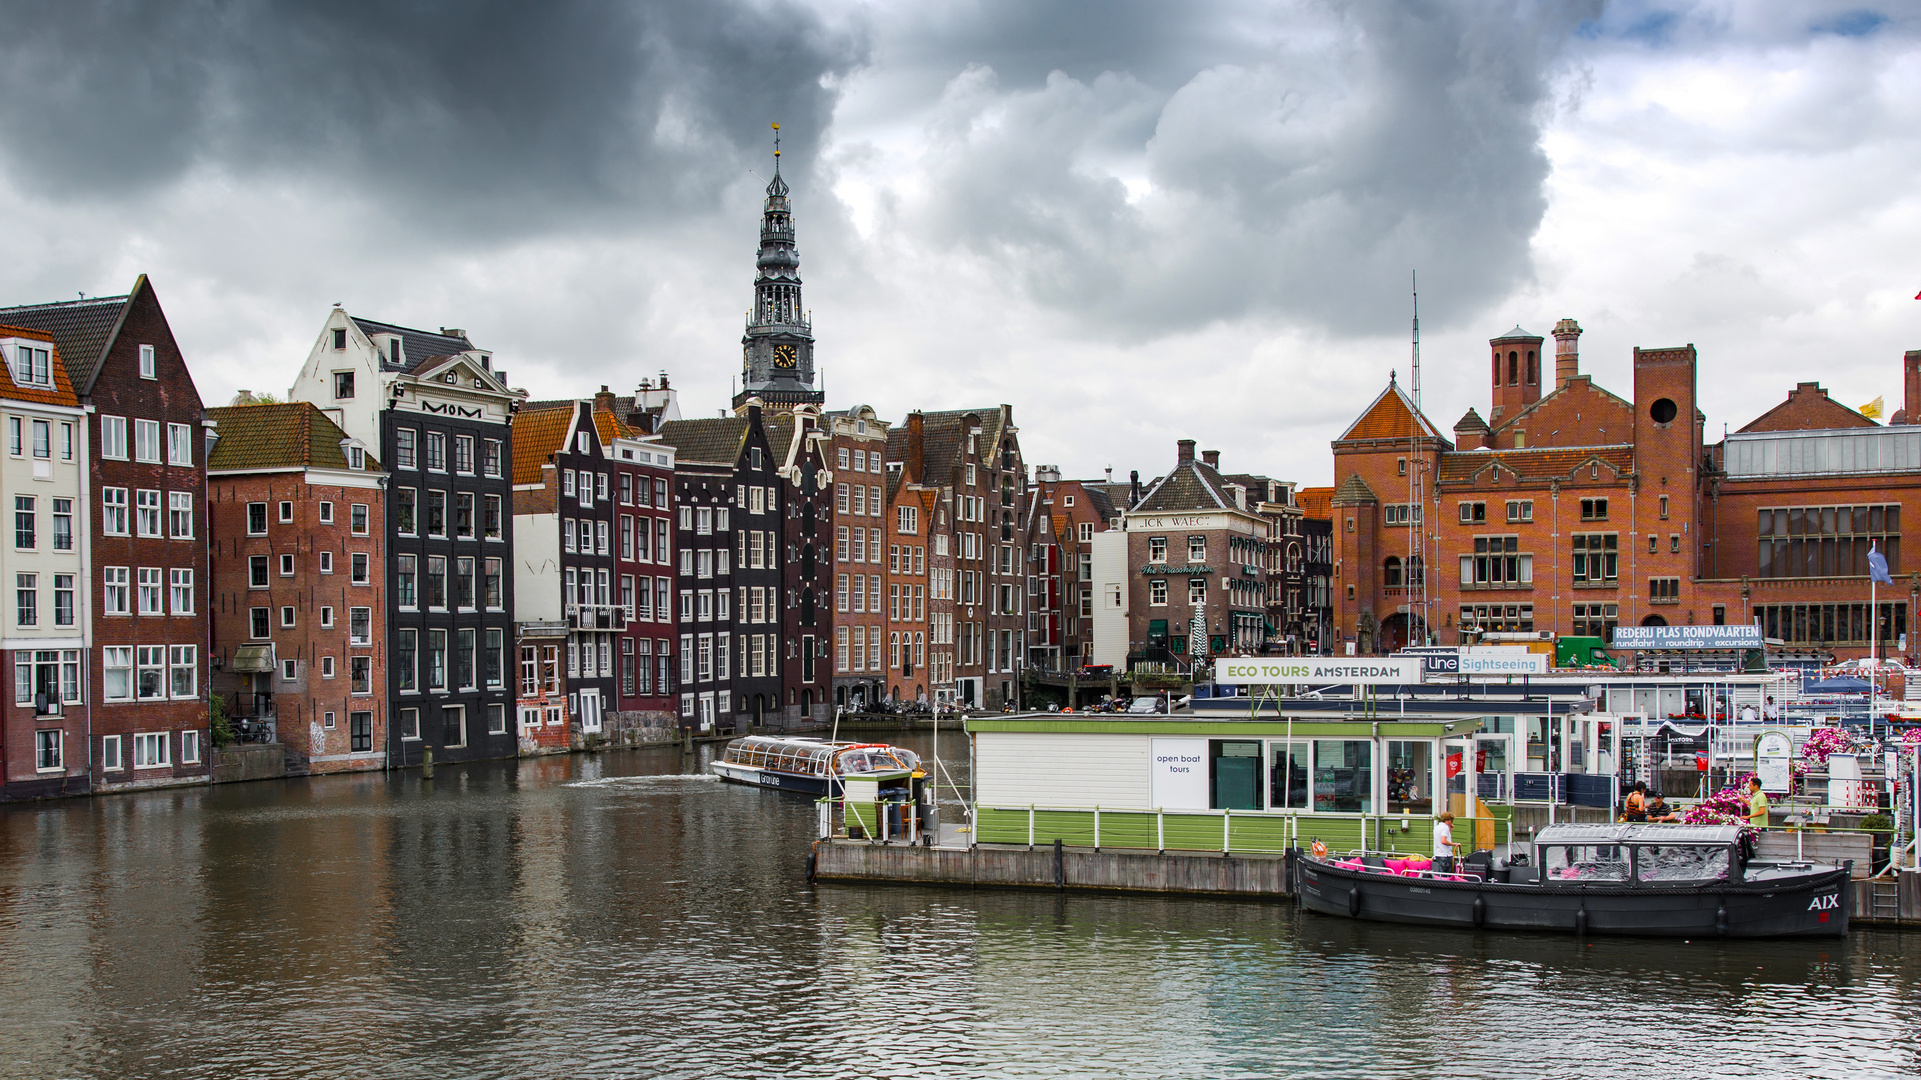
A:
<point x="43" y="731"/>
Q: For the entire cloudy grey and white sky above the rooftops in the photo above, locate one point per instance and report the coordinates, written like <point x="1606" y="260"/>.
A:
<point x="1134" y="222"/>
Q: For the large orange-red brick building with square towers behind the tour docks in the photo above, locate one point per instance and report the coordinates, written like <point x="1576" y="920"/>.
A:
<point x="1576" y="510"/>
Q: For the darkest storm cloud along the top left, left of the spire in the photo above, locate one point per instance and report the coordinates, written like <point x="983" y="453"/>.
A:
<point x="498" y="116"/>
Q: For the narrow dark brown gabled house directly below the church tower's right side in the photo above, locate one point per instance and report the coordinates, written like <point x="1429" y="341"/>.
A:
<point x="804" y="456"/>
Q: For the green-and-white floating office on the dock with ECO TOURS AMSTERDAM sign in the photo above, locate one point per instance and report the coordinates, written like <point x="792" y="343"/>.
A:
<point x="1261" y="773"/>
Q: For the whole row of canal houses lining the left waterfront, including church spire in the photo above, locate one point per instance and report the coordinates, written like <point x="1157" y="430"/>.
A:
<point x="410" y="556"/>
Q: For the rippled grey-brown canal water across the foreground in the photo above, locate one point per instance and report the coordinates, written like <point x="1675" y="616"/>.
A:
<point x="627" y="916"/>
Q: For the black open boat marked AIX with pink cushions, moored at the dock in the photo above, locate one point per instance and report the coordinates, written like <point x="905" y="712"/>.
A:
<point x="1674" y="881"/>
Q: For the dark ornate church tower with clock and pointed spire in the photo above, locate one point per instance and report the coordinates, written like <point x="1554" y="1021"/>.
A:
<point x="779" y="347"/>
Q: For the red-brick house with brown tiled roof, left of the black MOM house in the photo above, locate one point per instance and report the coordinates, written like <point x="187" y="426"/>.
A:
<point x="297" y="526"/>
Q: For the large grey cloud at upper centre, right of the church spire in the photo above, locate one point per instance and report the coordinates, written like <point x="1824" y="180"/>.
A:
<point x="1301" y="170"/>
